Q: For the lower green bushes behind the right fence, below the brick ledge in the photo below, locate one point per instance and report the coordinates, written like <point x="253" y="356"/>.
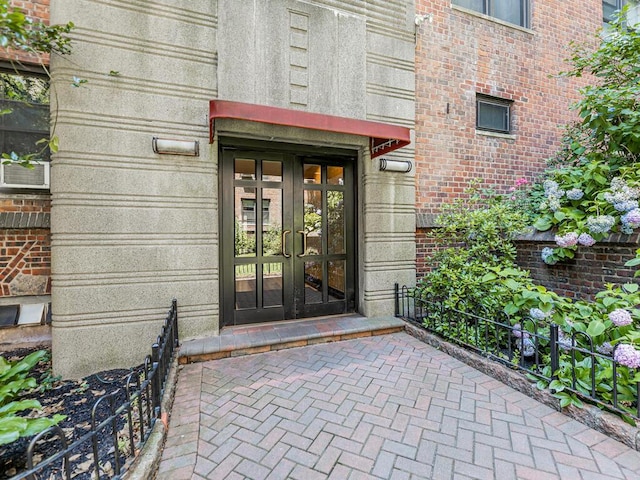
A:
<point x="475" y="273"/>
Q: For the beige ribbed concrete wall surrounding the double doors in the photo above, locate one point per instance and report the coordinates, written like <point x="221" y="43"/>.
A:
<point x="131" y="229"/>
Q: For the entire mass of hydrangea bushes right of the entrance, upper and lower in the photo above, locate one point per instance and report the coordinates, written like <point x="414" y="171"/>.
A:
<point x="591" y="190"/>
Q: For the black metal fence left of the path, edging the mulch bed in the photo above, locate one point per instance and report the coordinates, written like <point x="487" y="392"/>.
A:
<point x="117" y="432"/>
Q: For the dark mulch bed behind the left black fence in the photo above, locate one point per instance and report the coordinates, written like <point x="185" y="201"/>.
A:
<point x="75" y="399"/>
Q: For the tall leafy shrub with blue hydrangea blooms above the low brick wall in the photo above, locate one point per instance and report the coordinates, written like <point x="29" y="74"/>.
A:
<point x="594" y="186"/>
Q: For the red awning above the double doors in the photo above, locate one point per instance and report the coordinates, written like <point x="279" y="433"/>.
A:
<point x="384" y="138"/>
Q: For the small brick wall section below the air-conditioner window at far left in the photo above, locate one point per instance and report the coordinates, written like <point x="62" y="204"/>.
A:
<point x="25" y="245"/>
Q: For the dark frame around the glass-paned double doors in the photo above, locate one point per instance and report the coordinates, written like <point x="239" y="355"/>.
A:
<point x="227" y="282"/>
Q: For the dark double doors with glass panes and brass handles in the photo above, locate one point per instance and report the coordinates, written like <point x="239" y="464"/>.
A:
<point x="288" y="242"/>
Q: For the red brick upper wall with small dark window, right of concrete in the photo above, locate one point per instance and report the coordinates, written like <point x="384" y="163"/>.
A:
<point x="460" y="54"/>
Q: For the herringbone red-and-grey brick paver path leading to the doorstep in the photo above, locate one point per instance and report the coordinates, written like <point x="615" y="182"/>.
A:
<point x="387" y="407"/>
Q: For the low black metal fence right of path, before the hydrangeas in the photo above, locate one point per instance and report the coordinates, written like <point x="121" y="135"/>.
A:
<point x="565" y="363"/>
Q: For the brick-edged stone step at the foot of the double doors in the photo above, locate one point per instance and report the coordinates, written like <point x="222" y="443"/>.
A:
<point x="266" y="337"/>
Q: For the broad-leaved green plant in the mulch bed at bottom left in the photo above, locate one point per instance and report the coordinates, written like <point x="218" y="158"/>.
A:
<point x="14" y="382"/>
